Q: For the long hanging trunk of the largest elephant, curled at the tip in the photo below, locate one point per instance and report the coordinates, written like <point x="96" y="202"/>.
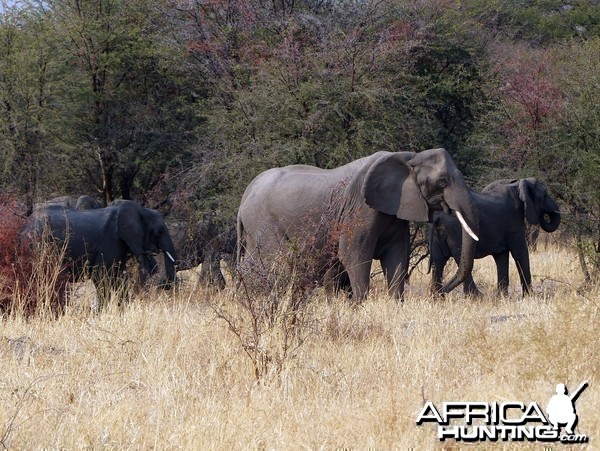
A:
<point x="463" y="205"/>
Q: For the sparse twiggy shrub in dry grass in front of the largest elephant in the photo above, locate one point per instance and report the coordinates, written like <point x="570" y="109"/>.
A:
<point x="270" y="313"/>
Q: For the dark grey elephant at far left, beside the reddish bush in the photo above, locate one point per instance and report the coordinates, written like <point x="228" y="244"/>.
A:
<point x="100" y="240"/>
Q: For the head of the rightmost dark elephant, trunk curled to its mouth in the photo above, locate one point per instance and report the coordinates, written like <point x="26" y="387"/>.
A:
<point x="539" y="207"/>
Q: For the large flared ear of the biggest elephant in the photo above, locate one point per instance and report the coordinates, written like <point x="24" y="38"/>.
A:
<point x="390" y="188"/>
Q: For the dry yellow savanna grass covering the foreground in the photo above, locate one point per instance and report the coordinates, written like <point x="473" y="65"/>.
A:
<point x="166" y="371"/>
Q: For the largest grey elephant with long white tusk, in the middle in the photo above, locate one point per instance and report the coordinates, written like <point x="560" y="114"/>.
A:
<point x="356" y="213"/>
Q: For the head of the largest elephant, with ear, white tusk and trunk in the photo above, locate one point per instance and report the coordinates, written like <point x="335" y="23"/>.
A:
<point x="411" y="186"/>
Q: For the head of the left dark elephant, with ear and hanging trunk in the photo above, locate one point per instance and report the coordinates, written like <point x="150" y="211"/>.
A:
<point x="145" y="233"/>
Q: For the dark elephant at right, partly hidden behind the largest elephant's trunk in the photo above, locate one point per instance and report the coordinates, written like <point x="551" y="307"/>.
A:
<point x="504" y="206"/>
